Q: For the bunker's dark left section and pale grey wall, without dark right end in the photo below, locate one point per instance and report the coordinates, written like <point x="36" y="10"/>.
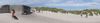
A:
<point x="17" y="8"/>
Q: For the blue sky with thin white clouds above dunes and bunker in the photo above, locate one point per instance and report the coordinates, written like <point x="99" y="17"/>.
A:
<point x="65" y="4"/>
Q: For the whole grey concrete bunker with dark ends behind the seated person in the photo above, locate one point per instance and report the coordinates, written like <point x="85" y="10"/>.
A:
<point x="17" y="8"/>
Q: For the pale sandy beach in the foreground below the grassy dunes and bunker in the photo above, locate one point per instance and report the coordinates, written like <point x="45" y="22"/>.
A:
<point x="48" y="17"/>
